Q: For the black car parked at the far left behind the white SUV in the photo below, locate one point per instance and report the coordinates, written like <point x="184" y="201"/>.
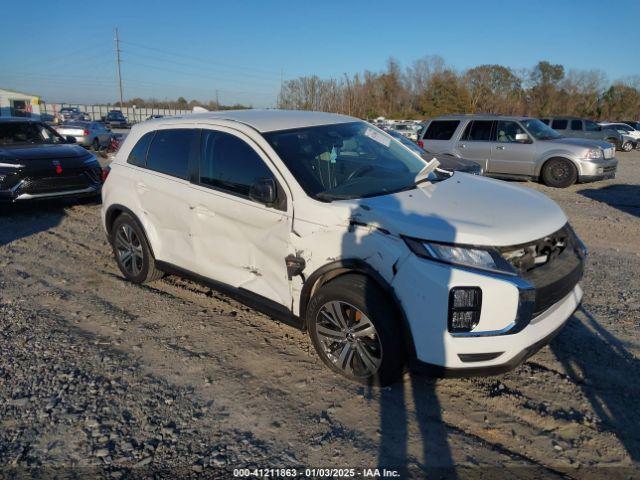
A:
<point x="37" y="163"/>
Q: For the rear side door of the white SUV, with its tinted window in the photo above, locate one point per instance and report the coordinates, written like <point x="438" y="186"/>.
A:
<point x="163" y="187"/>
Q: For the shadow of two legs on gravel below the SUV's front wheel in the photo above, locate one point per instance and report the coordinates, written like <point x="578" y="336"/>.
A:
<point x="395" y="435"/>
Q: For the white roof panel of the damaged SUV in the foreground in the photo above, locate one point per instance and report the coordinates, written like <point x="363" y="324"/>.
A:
<point x="264" y="120"/>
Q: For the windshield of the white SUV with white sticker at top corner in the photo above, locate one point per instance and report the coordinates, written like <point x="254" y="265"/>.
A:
<point x="346" y="160"/>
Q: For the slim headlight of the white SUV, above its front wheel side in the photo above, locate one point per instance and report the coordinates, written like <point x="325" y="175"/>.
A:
<point x="472" y="257"/>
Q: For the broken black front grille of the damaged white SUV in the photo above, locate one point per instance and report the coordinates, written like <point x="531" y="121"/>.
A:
<point x="553" y="265"/>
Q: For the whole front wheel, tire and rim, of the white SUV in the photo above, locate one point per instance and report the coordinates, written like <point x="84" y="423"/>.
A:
<point x="354" y="328"/>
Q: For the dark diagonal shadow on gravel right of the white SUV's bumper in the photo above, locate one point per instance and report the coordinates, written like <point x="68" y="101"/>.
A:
<point x="607" y="373"/>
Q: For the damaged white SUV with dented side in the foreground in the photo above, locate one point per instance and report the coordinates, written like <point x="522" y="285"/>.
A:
<point x="328" y="223"/>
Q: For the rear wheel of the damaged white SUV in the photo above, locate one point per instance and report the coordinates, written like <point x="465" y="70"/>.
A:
<point x="138" y="270"/>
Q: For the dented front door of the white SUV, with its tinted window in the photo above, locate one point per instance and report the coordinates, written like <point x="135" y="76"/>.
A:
<point x="236" y="240"/>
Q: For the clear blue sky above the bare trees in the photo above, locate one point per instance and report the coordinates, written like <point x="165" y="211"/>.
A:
<point x="64" y="50"/>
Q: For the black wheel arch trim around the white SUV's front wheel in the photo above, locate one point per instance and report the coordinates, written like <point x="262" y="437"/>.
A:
<point x="333" y="270"/>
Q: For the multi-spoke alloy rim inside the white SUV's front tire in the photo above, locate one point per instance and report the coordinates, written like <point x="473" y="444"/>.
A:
<point x="349" y="339"/>
